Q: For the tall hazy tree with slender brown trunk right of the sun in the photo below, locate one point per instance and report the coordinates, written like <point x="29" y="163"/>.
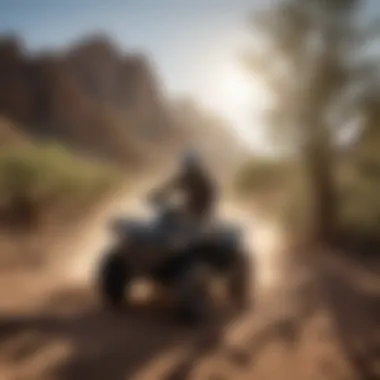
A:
<point x="310" y="55"/>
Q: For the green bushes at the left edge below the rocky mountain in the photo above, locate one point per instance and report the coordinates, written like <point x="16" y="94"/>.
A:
<point x="49" y="175"/>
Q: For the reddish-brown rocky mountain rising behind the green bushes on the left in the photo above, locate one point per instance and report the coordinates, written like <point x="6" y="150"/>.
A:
<point x="94" y="98"/>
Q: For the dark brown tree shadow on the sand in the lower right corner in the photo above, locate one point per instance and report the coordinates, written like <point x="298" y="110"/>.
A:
<point x="352" y="291"/>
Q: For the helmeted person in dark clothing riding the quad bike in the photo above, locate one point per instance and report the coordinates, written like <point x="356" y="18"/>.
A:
<point x="195" y="183"/>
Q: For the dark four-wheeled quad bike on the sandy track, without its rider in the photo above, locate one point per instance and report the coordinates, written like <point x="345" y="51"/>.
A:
<point x="180" y="261"/>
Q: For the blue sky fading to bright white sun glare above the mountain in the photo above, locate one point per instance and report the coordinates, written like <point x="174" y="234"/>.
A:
<point x="194" y="44"/>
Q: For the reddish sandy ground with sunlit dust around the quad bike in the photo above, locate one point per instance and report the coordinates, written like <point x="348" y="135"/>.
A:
<point x="313" y="318"/>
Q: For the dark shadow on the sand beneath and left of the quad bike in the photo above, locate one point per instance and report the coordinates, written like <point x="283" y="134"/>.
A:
<point x="102" y="344"/>
